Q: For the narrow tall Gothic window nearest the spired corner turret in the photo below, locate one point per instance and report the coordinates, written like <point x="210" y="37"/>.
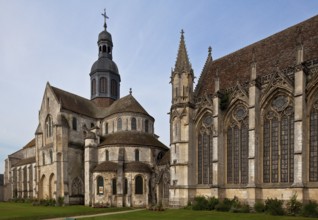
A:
<point x="205" y="151"/>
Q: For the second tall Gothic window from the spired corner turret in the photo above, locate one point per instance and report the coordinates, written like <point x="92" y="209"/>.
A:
<point x="237" y="146"/>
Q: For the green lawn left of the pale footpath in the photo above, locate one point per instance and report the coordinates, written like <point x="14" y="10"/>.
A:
<point x="23" y="211"/>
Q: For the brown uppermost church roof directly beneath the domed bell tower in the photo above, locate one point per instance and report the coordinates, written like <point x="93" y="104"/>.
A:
<point x="80" y="105"/>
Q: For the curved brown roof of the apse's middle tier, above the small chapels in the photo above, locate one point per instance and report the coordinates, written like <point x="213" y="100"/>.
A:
<point x="132" y="138"/>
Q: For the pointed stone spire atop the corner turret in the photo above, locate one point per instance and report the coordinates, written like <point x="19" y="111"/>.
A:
<point x="182" y="63"/>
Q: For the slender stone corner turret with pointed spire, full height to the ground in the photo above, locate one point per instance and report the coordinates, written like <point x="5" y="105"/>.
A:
<point x="181" y="128"/>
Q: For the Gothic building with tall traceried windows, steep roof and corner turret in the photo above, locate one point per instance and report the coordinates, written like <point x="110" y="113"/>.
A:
<point x="250" y="126"/>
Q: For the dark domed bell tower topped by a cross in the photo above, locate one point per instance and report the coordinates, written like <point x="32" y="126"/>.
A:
<point x="105" y="78"/>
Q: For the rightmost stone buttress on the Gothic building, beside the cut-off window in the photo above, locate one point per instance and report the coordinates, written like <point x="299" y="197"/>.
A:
<point x="300" y="118"/>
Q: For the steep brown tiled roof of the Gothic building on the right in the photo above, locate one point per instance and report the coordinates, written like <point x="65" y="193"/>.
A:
<point x="276" y="50"/>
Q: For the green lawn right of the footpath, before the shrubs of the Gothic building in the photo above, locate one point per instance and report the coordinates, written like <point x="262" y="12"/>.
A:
<point x="182" y="214"/>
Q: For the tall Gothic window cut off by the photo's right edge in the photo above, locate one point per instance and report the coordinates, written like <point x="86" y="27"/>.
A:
<point x="313" y="143"/>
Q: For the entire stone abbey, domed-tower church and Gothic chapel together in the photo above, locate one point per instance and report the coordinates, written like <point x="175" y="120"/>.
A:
<point x="248" y="129"/>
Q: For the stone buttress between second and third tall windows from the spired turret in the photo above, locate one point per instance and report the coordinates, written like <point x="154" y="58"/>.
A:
<point x="253" y="144"/>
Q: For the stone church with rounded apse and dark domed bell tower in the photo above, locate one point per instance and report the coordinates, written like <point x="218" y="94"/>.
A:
<point x="99" y="152"/>
